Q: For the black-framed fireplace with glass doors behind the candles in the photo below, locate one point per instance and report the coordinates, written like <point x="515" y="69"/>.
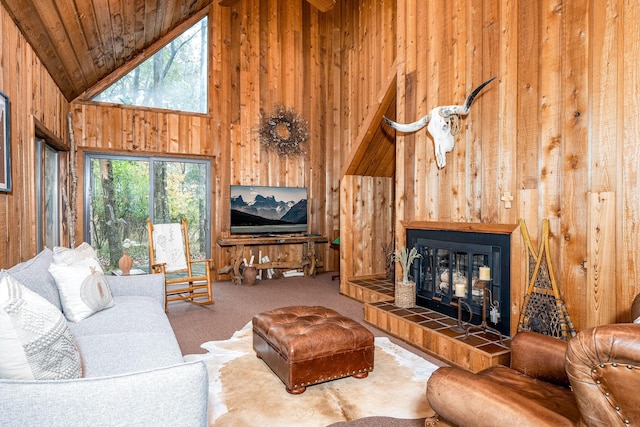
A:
<point x="454" y="260"/>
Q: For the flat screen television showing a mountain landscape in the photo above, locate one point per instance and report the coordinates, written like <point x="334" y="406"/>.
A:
<point x="261" y="210"/>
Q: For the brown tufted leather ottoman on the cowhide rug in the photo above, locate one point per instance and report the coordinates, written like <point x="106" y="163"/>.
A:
<point x="309" y="345"/>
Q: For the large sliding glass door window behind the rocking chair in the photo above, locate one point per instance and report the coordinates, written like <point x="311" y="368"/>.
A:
<point x="121" y="192"/>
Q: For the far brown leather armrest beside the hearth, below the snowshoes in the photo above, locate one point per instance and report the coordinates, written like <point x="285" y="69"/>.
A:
<point x="539" y="356"/>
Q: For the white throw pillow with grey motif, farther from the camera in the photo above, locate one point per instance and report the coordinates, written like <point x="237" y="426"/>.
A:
<point x="80" y="281"/>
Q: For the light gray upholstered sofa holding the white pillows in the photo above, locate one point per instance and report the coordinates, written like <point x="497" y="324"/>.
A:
<point x="133" y="369"/>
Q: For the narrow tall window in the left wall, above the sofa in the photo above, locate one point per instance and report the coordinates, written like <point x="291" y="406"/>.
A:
<point x="48" y="201"/>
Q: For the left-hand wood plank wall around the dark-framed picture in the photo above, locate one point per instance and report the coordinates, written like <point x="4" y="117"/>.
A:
<point x="34" y="100"/>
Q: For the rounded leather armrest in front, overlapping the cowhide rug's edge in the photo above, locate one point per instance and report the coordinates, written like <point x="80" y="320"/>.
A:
<point x="467" y="399"/>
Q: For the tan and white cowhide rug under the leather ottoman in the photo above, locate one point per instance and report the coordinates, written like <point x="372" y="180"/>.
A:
<point x="243" y="391"/>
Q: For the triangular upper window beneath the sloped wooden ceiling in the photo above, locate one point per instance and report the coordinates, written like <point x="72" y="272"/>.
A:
<point x="174" y="78"/>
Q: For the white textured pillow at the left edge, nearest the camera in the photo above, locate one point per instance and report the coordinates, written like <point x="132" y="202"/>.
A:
<point x="35" y="341"/>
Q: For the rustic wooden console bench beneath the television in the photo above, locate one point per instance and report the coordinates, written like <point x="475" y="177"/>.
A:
<point x="308" y="261"/>
